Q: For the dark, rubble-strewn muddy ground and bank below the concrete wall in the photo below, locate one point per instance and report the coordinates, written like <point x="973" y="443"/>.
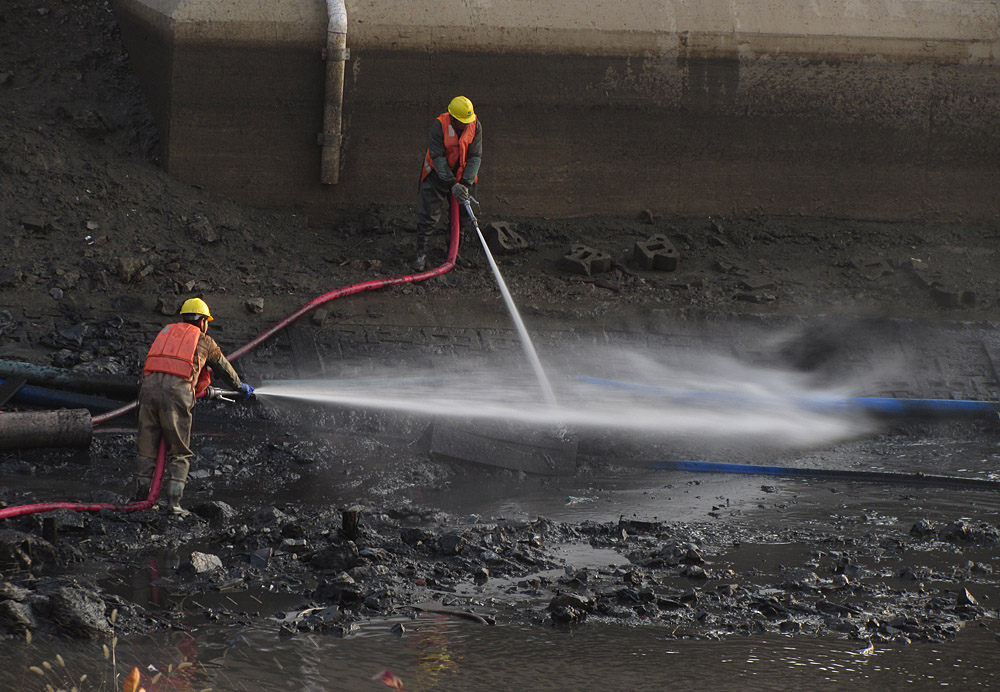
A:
<point x="100" y="248"/>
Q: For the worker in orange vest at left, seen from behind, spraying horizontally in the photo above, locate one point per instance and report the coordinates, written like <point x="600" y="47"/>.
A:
<point x="175" y="374"/>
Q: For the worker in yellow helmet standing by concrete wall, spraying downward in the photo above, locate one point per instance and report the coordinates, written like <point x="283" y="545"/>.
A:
<point x="451" y="165"/>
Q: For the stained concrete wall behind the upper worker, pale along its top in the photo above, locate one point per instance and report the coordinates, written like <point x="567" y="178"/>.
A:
<point x="871" y="110"/>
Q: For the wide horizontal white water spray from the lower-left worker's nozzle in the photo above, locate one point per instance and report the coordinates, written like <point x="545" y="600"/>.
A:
<point x="696" y="398"/>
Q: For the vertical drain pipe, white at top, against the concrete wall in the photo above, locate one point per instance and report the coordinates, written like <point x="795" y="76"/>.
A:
<point x="335" y="54"/>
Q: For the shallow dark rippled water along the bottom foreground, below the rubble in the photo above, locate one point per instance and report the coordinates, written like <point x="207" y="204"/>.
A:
<point x="447" y="654"/>
